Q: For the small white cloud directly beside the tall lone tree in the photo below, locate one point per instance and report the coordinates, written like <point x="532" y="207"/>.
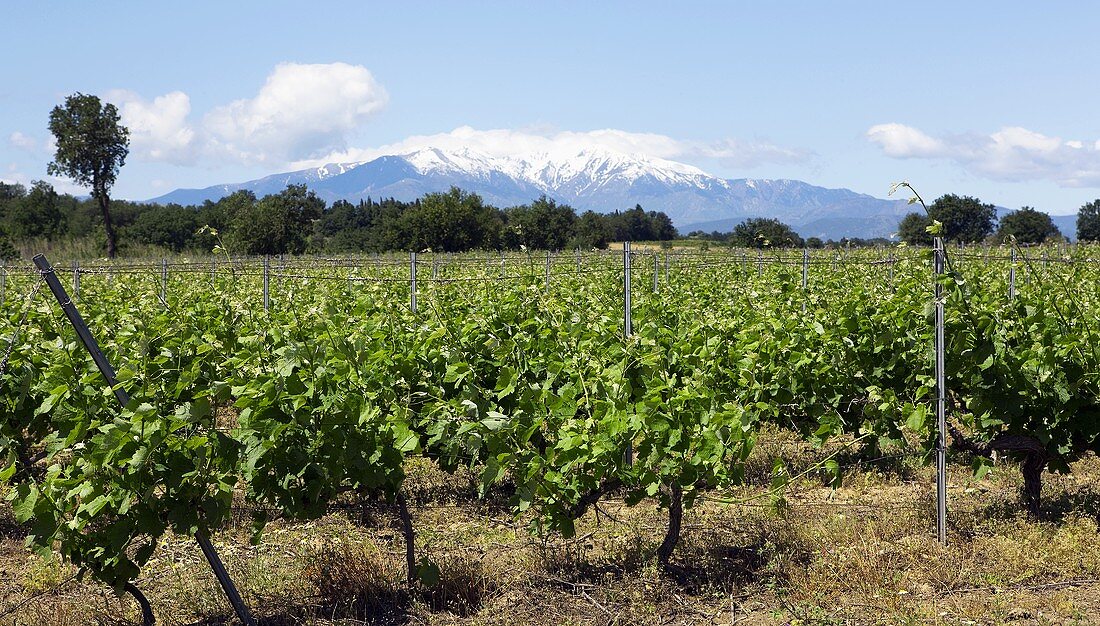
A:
<point x="159" y="129"/>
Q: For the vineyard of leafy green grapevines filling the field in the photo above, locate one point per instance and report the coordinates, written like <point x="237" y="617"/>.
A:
<point x="554" y="394"/>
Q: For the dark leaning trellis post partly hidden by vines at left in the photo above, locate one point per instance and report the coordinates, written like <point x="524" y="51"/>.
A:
<point x="105" y="368"/>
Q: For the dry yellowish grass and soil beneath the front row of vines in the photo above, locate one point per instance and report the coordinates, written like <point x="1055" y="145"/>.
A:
<point x="862" y="554"/>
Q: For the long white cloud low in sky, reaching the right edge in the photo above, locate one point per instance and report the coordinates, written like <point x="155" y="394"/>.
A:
<point x="1011" y="155"/>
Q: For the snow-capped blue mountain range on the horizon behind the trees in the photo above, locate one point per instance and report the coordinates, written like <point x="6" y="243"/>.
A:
<point x="598" y="180"/>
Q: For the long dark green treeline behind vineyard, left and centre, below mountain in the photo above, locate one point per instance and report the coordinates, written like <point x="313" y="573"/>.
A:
<point x="298" y="222"/>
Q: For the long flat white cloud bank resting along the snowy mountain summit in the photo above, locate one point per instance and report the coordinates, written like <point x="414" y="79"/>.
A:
<point x="507" y="142"/>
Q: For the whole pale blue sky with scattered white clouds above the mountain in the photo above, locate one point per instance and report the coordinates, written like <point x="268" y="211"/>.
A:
<point x="997" y="101"/>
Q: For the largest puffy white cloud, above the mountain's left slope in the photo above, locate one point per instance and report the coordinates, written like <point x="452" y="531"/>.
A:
<point x="302" y="112"/>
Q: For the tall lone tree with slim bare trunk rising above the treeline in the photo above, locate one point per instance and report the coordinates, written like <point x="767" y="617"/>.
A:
<point x="92" y="147"/>
